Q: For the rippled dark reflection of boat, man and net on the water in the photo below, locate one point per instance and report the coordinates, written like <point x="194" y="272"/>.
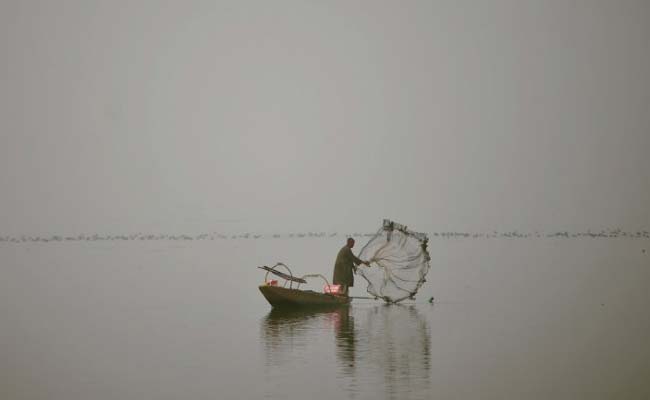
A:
<point x="378" y="348"/>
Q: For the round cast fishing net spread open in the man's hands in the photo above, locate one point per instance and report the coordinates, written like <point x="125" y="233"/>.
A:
<point x="399" y="262"/>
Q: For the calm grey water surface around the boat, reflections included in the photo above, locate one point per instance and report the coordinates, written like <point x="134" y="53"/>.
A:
<point x="526" y="319"/>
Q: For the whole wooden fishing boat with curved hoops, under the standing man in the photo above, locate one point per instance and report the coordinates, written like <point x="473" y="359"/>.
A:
<point x="285" y="297"/>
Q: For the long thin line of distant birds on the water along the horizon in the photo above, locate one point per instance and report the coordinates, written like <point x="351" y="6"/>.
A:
<point x="605" y="233"/>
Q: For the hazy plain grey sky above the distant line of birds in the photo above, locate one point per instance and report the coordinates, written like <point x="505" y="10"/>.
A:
<point x="162" y="116"/>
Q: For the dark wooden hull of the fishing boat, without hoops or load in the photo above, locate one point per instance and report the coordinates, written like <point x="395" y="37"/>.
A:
<point x="283" y="297"/>
